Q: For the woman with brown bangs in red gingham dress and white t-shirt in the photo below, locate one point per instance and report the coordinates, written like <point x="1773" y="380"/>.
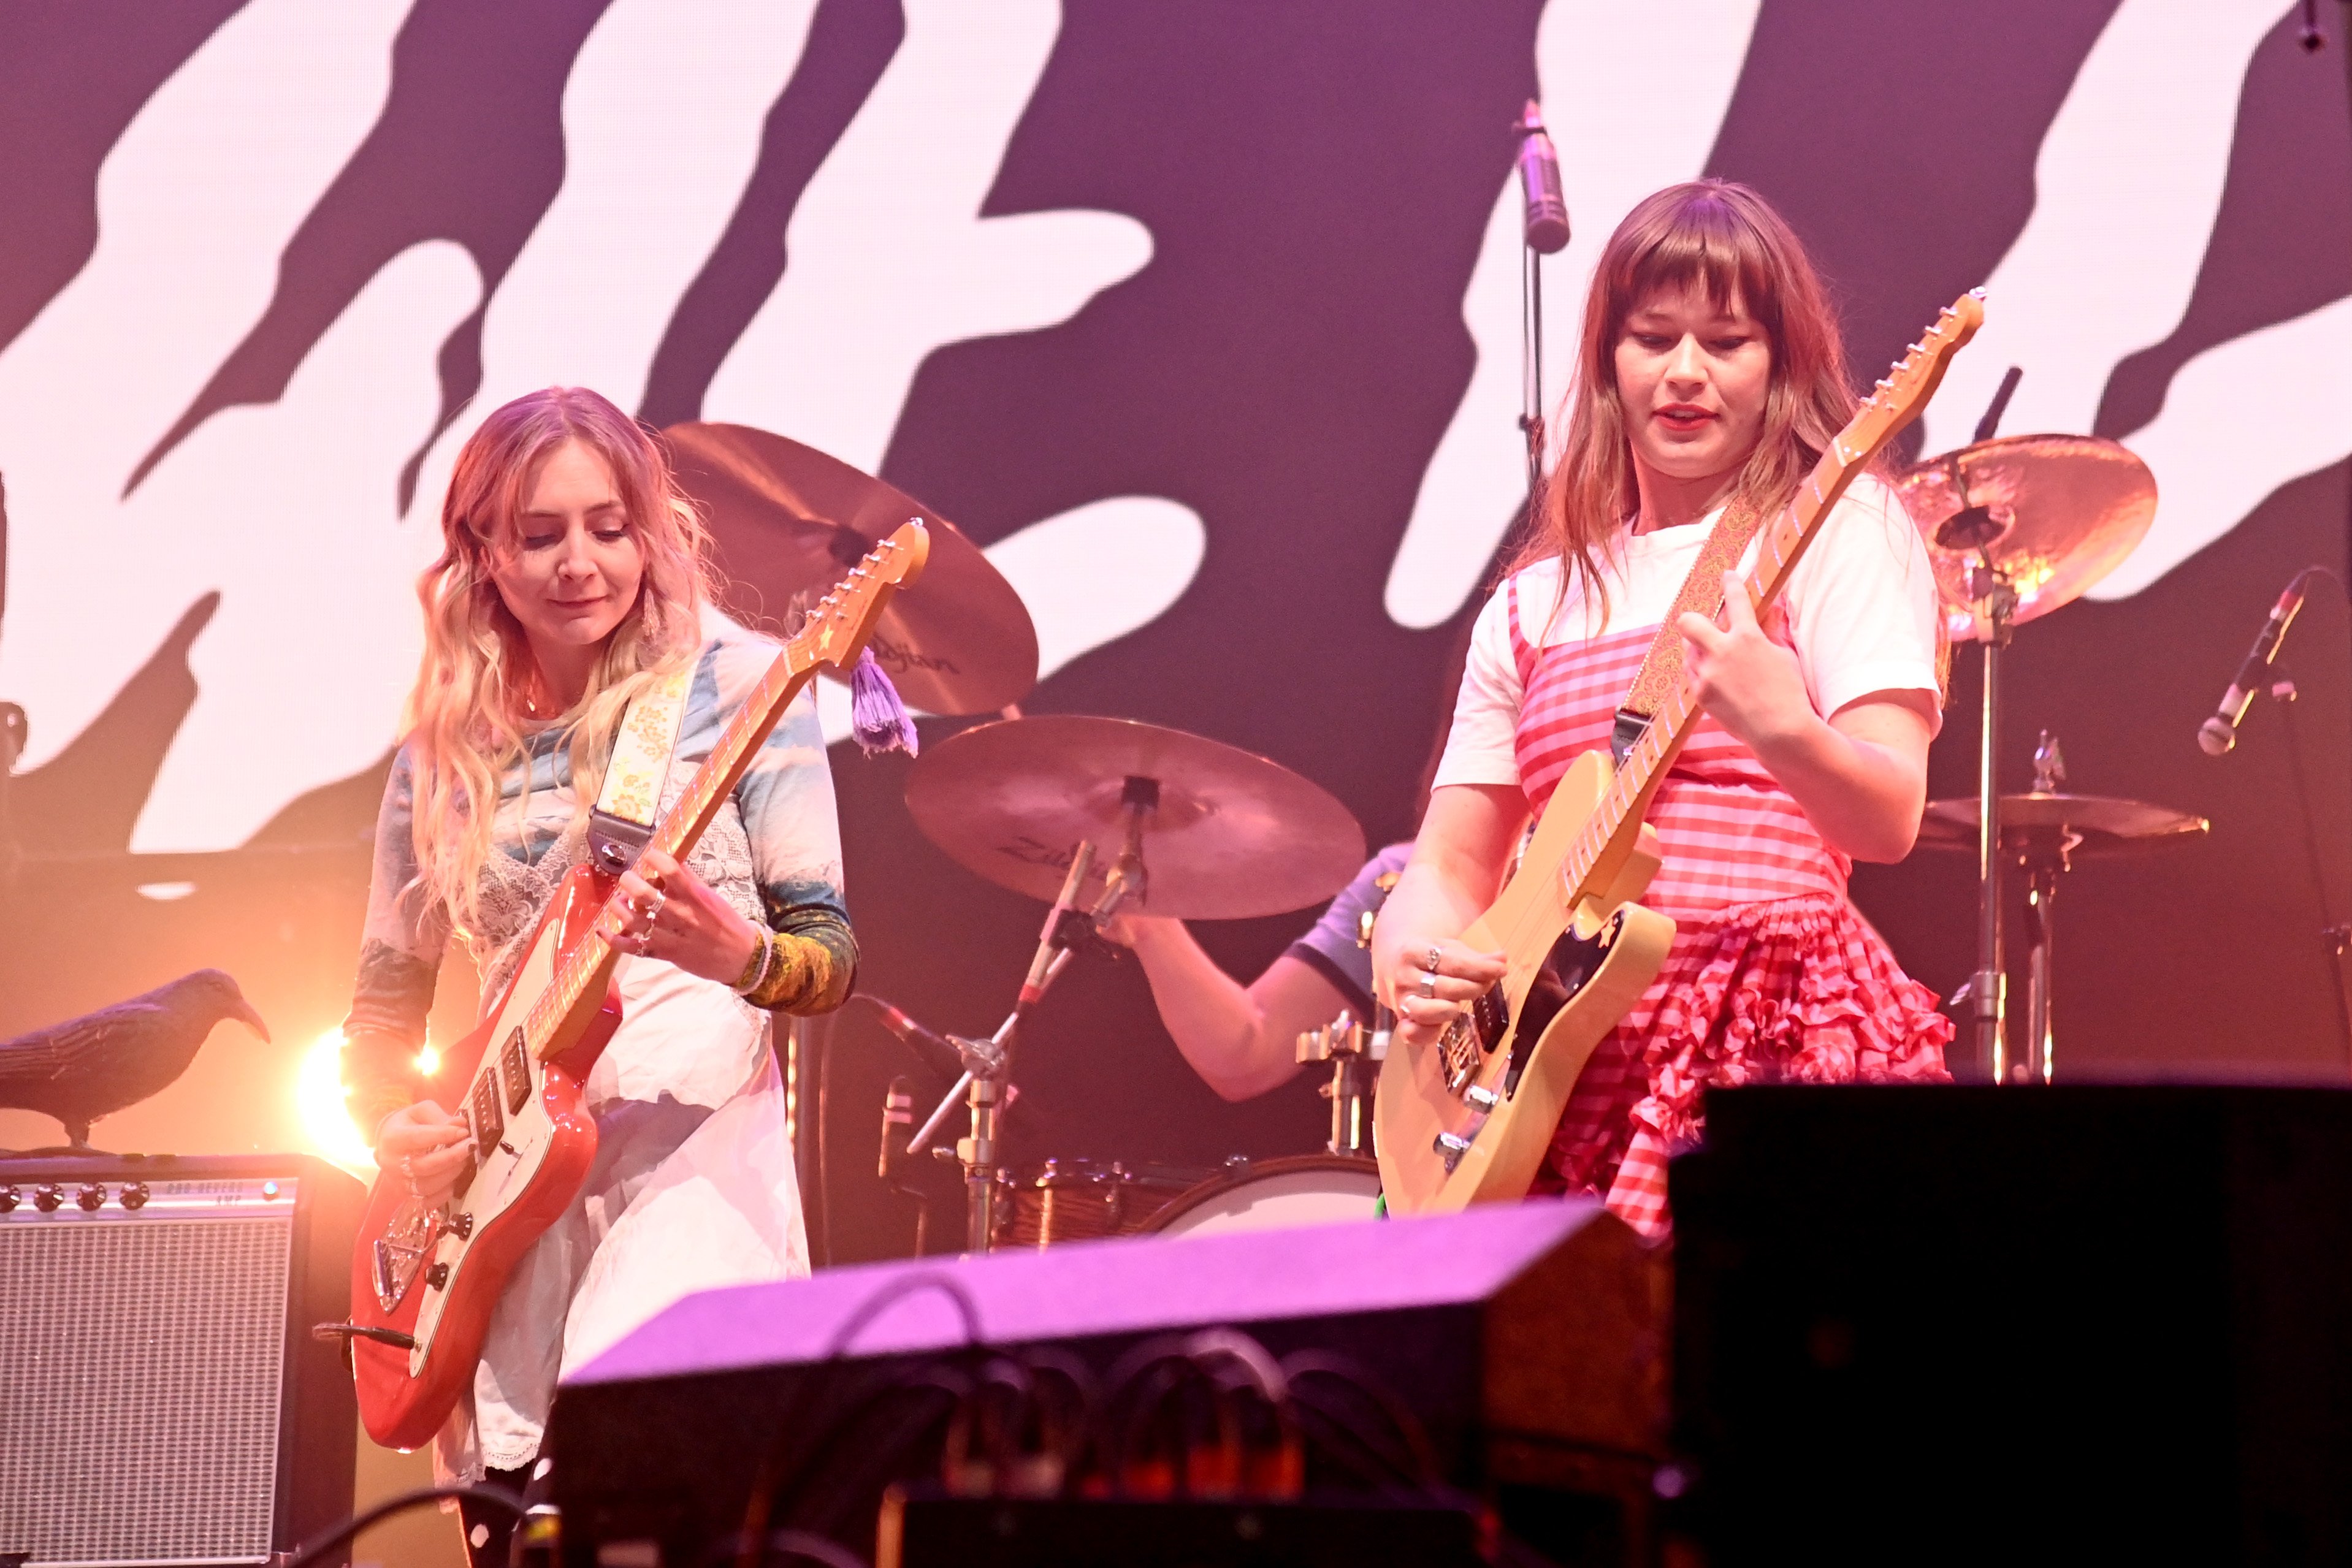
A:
<point x="1711" y="375"/>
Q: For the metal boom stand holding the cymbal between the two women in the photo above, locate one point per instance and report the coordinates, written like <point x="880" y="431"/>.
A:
<point x="989" y="1061"/>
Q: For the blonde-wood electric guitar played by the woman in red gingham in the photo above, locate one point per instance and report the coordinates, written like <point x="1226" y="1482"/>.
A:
<point x="1466" y="1120"/>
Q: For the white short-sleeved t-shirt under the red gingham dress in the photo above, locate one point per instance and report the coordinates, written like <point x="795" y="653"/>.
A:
<point x="1862" y="615"/>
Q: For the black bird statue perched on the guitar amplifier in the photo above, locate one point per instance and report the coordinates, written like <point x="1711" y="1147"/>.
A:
<point x="98" y="1064"/>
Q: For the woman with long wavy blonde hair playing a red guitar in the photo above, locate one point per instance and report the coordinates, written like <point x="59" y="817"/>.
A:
<point x="570" y="579"/>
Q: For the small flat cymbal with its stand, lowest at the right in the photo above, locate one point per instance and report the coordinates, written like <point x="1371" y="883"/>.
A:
<point x="2045" y="833"/>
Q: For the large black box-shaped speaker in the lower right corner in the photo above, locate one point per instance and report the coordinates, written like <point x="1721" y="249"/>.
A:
<point x="2036" y="1325"/>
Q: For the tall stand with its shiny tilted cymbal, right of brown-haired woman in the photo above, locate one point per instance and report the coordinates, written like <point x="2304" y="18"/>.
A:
<point x="2017" y="528"/>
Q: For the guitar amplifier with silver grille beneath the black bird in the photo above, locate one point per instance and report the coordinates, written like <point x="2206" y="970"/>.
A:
<point x="161" y="1395"/>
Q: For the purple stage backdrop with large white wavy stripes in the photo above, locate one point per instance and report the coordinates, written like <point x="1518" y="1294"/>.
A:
<point x="1205" y="321"/>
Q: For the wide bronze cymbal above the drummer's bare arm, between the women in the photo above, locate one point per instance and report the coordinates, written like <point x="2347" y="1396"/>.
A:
<point x="1234" y="836"/>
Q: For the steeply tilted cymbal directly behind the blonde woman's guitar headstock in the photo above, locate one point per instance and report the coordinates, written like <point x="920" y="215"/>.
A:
<point x="787" y="521"/>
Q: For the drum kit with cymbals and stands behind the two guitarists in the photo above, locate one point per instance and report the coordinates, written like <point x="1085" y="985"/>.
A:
<point x="1102" y="817"/>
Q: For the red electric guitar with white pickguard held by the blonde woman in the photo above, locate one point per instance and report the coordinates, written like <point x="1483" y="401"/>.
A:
<point x="427" y="1278"/>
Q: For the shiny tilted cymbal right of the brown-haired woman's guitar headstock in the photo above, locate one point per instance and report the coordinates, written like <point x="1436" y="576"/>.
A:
<point x="2054" y="511"/>
